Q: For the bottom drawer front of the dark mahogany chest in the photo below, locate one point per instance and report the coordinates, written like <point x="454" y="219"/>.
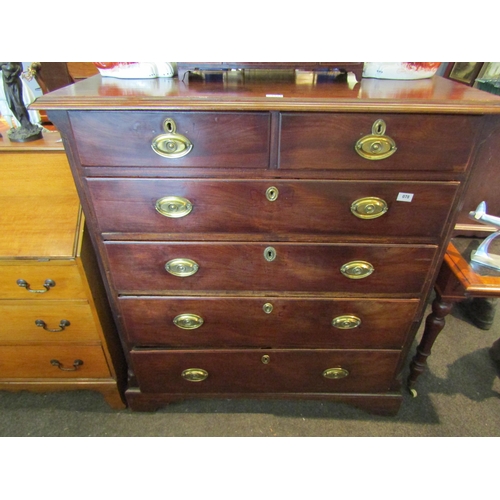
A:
<point x="246" y="371"/>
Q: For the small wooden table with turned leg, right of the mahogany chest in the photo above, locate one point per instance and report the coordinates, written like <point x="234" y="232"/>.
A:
<point x="458" y="279"/>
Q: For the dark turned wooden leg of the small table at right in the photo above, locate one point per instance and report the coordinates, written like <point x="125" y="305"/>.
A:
<point x="434" y="323"/>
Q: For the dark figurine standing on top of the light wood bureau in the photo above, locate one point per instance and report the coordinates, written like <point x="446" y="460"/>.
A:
<point x="13" y="87"/>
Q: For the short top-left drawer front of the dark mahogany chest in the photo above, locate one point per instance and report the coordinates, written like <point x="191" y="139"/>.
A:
<point x="124" y="139"/>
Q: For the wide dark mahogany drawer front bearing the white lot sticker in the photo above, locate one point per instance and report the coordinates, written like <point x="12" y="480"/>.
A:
<point x="247" y="207"/>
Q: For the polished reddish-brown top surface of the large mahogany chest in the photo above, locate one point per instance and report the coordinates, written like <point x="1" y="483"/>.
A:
<point x="272" y="91"/>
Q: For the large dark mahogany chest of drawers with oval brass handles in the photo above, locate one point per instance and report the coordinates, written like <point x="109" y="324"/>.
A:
<point x="274" y="240"/>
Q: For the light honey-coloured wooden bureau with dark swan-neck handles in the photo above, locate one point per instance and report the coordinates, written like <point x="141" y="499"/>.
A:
<point x="57" y="332"/>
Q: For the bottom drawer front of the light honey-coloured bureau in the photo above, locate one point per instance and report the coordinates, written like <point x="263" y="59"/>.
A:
<point x="35" y="362"/>
